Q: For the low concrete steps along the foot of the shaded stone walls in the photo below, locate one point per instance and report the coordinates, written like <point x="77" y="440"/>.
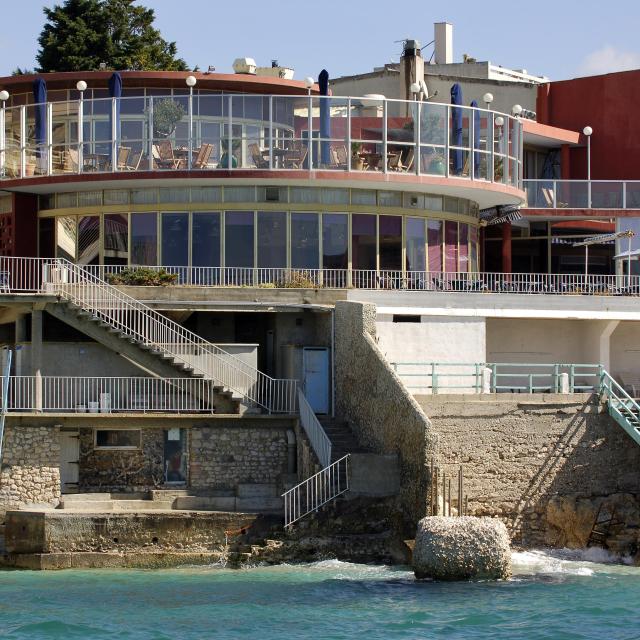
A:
<point x="246" y="498"/>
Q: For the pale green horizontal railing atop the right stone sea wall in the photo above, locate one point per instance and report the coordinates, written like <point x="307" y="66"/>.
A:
<point x="498" y="377"/>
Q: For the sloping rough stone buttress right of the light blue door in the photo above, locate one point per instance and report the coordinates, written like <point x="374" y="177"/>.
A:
<point x="383" y="415"/>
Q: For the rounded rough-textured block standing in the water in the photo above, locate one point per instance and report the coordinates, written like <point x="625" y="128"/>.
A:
<point x="461" y="549"/>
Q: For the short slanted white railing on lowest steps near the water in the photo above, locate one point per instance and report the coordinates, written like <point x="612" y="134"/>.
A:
<point x="312" y="493"/>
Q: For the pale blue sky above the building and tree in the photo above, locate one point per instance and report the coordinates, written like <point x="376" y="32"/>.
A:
<point x="556" y="38"/>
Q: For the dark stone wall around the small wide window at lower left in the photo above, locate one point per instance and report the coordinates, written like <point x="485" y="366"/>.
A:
<point x="106" y="470"/>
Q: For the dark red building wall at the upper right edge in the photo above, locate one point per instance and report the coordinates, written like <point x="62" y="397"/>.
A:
<point x="610" y="104"/>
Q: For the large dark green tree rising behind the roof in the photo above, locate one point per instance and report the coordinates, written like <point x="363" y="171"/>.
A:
<point x="81" y="34"/>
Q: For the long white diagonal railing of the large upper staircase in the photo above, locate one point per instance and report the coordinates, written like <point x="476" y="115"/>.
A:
<point x="144" y="325"/>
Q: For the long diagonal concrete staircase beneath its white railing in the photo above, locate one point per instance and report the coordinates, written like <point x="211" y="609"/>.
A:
<point x="158" y="362"/>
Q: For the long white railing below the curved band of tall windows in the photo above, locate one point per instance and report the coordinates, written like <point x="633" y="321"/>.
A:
<point x="467" y="282"/>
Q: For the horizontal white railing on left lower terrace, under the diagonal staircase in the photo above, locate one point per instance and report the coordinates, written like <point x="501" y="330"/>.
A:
<point x="108" y="395"/>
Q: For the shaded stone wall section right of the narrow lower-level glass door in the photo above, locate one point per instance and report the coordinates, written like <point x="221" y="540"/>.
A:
<point x="223" y="456"/>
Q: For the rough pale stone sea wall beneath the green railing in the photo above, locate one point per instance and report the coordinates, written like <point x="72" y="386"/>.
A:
<point x="520" y="454"/>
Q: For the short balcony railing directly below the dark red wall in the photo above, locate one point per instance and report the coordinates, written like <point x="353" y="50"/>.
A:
<point x="582" y="194"/>
